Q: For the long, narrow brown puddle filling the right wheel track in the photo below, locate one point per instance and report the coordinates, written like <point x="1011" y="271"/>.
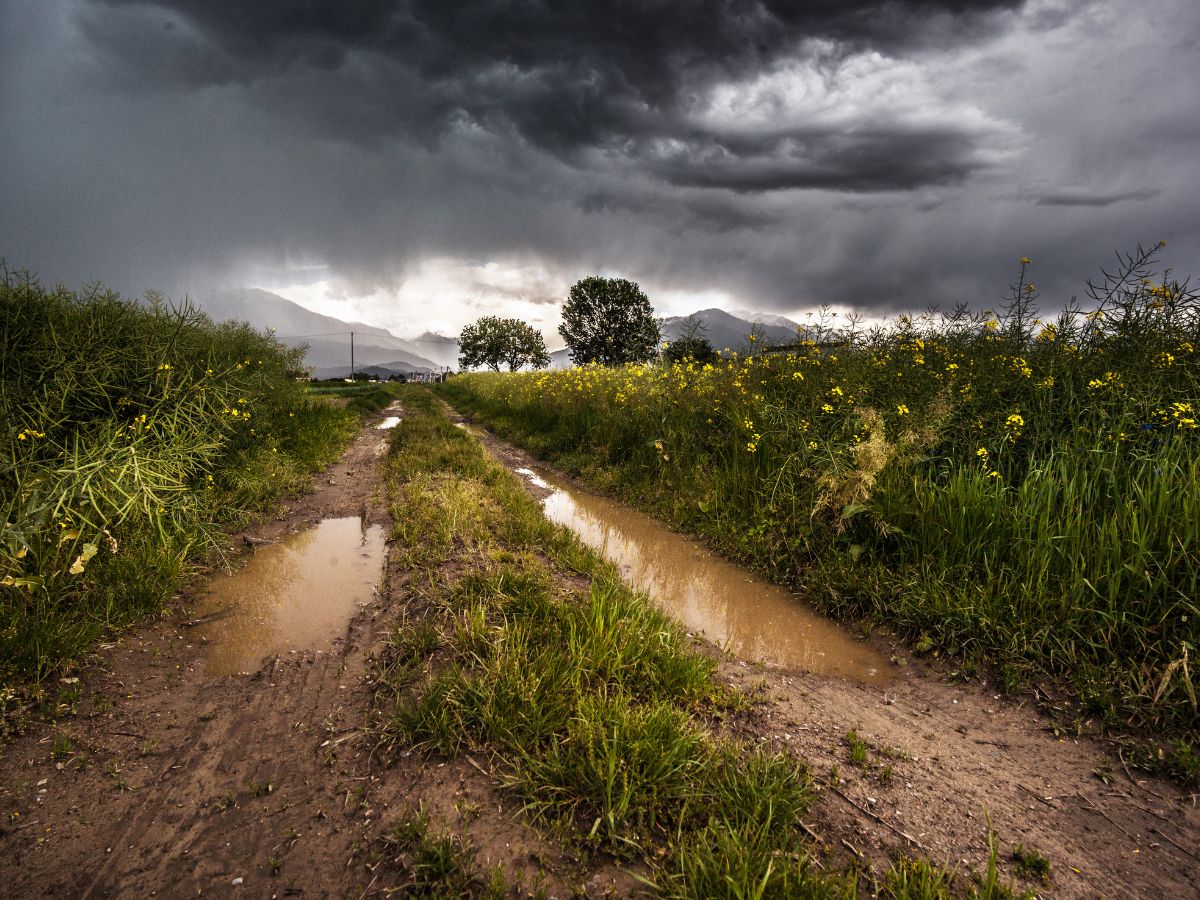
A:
<point x="748" y="616"/>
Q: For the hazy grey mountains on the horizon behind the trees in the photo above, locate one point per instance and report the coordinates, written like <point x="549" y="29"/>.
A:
<point x="380" y="352"/>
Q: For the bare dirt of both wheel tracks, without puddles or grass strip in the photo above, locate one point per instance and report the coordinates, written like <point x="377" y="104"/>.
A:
<point x="166" y="781"/>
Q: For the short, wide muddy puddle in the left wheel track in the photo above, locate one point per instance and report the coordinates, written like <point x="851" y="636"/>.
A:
<point x="293" y="596"/>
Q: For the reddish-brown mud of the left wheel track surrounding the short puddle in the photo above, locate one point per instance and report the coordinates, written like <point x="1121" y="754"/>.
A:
<point x="160" y="779"/>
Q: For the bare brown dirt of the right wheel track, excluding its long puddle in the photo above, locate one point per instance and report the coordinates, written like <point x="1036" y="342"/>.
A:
<point x="945" y="758"/>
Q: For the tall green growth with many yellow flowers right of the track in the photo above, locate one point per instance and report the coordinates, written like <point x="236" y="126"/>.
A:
<point x="995" y="485"/>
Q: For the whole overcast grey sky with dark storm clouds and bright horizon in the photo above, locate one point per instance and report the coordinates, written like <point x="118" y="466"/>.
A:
<point x="418" y="164"/>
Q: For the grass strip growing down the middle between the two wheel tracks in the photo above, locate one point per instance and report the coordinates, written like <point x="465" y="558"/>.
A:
<point x="527" y="649"/>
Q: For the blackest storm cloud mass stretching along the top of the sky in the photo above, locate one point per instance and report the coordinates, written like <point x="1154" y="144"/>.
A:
<point x="620" y="81"/>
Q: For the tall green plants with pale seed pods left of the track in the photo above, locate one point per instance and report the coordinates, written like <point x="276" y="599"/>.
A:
<point x="133" y="433"/>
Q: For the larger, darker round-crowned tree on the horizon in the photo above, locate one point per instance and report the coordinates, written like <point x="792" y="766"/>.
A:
<point x="609" y="321"/>
